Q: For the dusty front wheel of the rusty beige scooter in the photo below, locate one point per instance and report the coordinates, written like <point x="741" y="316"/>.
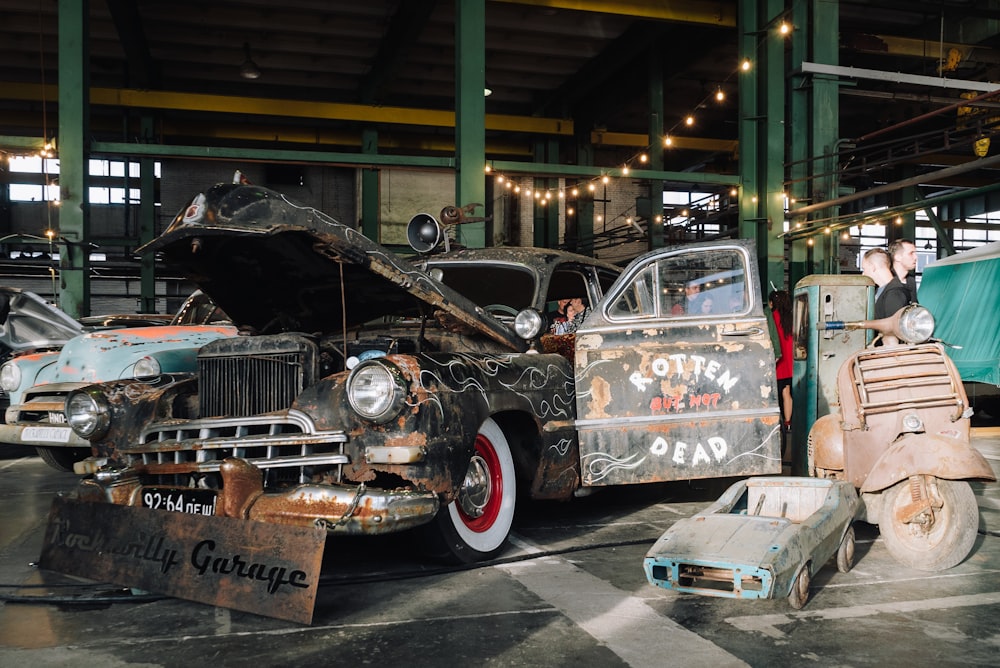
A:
<point x="937" y="538"/>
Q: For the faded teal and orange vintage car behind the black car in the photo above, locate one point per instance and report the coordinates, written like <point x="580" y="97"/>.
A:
<point x="37" y="383"/>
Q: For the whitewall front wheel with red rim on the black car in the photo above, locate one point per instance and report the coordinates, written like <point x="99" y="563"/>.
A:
<point x="476" y="525"/>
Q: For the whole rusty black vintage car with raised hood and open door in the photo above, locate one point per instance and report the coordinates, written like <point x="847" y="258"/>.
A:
<point x="372" y="393"/>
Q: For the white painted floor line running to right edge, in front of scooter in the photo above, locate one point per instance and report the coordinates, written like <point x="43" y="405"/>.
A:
<point x="767" y="624"/>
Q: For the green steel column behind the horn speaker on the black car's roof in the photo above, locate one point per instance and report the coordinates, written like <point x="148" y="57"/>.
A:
<point x="470" y="114"/>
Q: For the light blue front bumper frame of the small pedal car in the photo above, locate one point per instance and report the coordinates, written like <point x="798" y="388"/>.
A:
<point x="709" y="578"/>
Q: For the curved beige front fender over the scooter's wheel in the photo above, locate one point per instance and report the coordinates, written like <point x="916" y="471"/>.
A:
<point x="927" y="454"/>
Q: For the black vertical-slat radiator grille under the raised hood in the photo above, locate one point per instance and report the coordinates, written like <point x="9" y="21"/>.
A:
<point x="254" y="375"/>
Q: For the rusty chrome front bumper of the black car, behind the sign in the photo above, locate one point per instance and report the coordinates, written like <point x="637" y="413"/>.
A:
<point x="338" y="508"/>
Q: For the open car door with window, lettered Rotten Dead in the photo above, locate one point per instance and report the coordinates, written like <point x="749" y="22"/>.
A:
<point x="675" y="371"/>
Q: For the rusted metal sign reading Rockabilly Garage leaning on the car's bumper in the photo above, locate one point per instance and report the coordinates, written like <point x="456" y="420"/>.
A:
<point x="266" y="569"/>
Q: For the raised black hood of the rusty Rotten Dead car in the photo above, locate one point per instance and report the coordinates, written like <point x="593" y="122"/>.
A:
<point x="273" y="265"/>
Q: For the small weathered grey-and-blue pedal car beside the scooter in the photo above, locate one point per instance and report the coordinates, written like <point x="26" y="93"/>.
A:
<point x="764" y="538"/>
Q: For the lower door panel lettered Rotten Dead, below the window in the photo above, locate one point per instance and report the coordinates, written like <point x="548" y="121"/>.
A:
<point x="677" y="409"/>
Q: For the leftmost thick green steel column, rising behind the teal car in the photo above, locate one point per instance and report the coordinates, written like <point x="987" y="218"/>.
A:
<point x="74" y="210"/>
